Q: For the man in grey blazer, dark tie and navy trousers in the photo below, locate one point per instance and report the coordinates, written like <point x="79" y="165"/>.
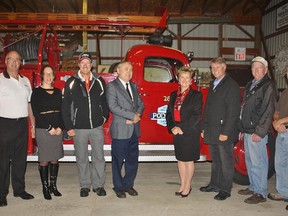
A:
<point x="126" y="106"/>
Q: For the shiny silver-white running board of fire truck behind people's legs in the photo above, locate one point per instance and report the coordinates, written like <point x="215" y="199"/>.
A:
<point x="147" y="153"/>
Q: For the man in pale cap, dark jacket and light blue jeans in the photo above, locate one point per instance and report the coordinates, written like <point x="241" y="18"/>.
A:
<point x="255" y="119"/>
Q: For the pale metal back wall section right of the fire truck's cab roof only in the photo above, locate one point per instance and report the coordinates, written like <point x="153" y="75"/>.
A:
<point x="209" y="49"/>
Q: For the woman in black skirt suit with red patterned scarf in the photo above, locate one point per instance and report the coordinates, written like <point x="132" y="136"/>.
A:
<point x="183" y="121"/>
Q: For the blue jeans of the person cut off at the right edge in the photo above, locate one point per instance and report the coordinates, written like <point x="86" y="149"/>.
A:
<point x="281" y="164"/>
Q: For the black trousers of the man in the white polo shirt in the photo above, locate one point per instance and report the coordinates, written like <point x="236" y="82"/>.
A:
<point x="13" y="154"/>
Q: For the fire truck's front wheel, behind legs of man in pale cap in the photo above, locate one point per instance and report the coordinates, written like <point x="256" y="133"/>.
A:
<point x="240" y="174"/>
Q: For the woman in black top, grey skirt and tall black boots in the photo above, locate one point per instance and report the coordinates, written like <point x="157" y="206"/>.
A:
<point x="46" y="105"/>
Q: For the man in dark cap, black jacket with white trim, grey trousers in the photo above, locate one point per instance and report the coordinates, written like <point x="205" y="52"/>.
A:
<point x="85" y="110"/>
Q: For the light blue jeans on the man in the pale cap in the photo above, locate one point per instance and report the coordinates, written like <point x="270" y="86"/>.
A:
<point x="256" y="158"/>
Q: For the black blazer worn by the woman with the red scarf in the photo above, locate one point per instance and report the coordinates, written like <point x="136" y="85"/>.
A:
<point x="190" y="113"/>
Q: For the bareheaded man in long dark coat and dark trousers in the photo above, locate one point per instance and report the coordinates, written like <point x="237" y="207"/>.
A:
<point x="220" y="128"/>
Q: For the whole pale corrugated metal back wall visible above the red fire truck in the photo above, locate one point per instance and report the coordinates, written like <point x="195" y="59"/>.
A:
<point x="201" y="48"/>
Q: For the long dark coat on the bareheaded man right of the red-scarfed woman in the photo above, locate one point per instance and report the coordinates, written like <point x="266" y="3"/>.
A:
<point x="221" y="114"/>
